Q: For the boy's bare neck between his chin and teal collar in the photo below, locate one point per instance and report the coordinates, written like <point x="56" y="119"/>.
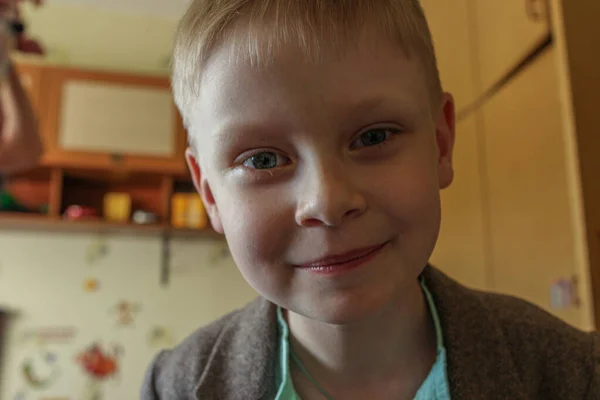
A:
<point x="389" y="354"/>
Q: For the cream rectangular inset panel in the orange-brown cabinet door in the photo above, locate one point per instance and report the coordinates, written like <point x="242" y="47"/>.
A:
<point x="118" y="119"/>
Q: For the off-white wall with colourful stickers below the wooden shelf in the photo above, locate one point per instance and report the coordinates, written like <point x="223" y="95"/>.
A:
<point x="41" y="277"/>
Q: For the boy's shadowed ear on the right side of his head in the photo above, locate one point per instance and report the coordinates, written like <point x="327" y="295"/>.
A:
<point x="445" y="135"/>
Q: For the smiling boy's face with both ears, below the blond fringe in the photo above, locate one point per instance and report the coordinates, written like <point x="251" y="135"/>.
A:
<point x="300" y="161"/>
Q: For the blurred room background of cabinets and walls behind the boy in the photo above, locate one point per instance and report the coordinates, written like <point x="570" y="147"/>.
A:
<point x="106" y="256"/>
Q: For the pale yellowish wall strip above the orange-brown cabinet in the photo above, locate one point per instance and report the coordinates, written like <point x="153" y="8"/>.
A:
<point x="100" y="37"/>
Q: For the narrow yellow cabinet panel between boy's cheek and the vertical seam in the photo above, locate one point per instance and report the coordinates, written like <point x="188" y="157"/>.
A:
<point x="460" y="251"/>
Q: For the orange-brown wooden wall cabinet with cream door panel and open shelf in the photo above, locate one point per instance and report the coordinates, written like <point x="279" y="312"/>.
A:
<point x="107" y="134"/>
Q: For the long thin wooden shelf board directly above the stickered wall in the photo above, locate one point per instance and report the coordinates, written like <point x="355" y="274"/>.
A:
<point x="40" y="222"/>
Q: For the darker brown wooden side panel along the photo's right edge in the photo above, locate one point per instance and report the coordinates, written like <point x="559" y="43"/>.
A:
<point x="577" y="30"/>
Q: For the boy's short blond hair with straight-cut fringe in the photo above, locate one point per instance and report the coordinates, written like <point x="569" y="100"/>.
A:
<point x="259" y="27"/>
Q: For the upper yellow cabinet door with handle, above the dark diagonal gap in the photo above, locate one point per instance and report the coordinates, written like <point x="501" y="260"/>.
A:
<point x="505" y="32"/>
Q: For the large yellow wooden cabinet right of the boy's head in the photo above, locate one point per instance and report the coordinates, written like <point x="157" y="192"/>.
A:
<point x="533" y="219"/>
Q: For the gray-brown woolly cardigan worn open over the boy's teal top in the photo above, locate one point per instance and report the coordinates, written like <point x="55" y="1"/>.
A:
<point x="498" y="347"/>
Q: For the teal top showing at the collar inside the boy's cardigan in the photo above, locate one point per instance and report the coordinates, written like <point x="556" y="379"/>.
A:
<point x="435" y="386"/>
